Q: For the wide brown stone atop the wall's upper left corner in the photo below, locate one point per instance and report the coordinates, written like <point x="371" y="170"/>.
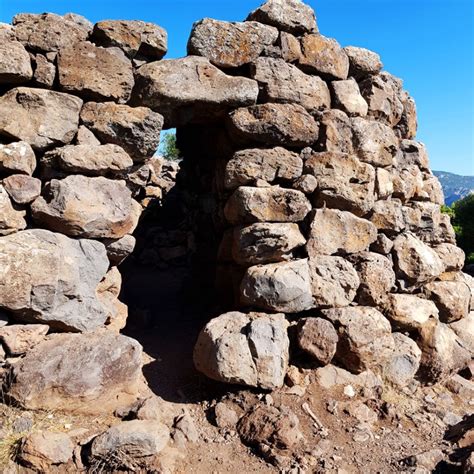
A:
<point x="49" y="32"/>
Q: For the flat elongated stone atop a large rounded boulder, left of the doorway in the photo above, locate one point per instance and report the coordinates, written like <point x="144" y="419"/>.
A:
<point x="89" y="160"/>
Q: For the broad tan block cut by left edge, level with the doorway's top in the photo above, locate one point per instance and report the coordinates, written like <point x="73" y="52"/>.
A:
<point x="42" y="118"/>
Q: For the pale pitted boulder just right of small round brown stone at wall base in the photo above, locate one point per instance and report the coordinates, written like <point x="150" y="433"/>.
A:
<point x="365" y="338"/>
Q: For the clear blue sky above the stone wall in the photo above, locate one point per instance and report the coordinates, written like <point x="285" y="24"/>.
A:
<point x="428" y="43"/>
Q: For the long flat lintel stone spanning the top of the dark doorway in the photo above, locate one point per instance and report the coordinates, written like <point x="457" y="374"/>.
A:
<point x="191" y="89"/>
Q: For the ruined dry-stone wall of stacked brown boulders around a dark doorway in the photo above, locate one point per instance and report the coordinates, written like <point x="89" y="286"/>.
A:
<point x="318" y="216"/>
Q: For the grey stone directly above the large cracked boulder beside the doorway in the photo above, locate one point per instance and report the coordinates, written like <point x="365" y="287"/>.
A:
<point x="284" y="286"/>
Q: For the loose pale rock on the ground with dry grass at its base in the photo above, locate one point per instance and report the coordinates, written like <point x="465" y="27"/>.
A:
<point x="126" y="444"/>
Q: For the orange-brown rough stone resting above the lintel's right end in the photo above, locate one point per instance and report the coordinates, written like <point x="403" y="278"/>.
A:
<point x="228" y="44"/>
